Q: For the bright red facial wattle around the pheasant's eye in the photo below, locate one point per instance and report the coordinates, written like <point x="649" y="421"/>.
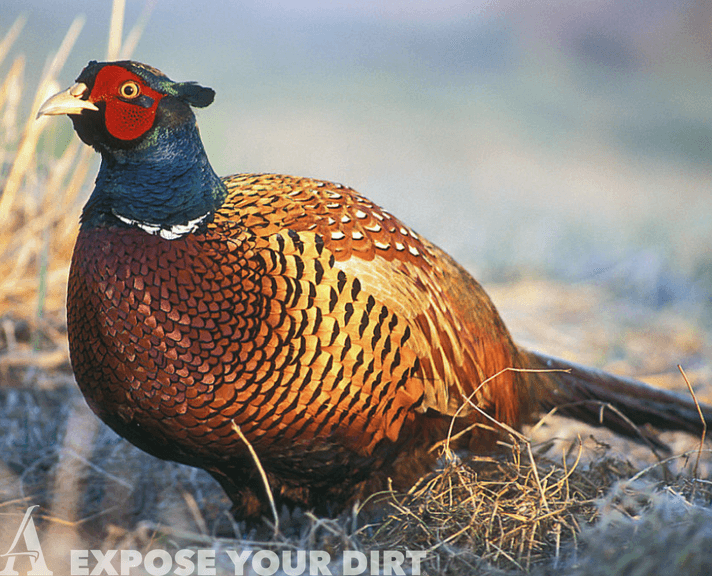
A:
<point x="130" y="103"/>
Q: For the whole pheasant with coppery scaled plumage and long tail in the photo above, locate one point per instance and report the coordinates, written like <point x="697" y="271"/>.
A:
<point x="209" y="316"/>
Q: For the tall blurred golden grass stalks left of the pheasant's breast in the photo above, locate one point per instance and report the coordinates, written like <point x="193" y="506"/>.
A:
<point x="39" y="205"/>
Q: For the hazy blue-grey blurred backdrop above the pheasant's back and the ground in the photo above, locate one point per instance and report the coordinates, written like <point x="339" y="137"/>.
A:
<point x="555" y="139"/>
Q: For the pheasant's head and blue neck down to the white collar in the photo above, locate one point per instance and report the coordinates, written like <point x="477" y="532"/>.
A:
<point x="155" y="173"/>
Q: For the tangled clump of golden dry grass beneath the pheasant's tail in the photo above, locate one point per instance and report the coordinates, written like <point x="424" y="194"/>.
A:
<point x="505" y="513"/>
